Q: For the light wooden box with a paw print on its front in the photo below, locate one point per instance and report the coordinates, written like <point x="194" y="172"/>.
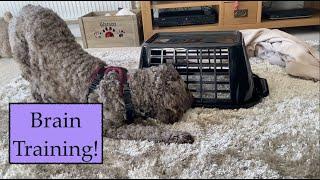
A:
<point x="100" y="31"/>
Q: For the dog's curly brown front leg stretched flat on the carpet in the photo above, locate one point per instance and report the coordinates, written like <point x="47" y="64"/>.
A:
<point x="150" y="133"/>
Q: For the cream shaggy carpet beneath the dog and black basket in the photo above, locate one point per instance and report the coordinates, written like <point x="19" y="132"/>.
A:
<point x="278" y="138"/>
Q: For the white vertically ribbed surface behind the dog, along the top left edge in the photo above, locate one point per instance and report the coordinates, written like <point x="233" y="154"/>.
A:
<point x="68" y="10"/>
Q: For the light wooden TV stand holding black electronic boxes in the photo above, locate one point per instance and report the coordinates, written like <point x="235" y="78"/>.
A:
<point x="224" y="9"/>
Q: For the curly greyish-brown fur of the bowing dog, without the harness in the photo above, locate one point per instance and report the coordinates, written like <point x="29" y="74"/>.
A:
<point x="59" y="70"/>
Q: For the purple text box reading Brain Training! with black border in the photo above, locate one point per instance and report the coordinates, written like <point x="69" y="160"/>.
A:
<point x="55" y="133"/>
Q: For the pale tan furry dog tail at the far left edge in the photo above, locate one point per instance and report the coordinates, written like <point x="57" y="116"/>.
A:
<point x="5" y="50"/>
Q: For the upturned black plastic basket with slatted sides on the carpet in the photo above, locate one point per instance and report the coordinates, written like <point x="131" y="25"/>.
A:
<point x="214" y="66"/>
